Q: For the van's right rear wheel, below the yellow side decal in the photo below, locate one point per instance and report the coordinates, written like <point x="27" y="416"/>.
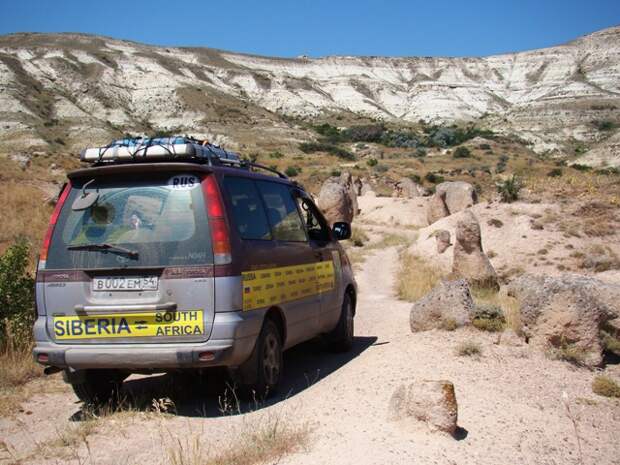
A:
<point x="260" y="375"/>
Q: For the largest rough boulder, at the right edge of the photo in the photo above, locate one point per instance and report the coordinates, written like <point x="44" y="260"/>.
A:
<point x="567" y="312"/>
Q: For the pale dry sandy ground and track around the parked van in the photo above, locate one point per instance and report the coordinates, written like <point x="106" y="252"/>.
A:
<point x="510" y="402"/>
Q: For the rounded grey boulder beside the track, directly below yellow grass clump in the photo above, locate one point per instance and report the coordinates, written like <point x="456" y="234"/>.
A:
<point x="447" y="306"/>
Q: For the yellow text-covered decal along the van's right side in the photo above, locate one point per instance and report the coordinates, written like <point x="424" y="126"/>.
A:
<point x="273" y="286"/>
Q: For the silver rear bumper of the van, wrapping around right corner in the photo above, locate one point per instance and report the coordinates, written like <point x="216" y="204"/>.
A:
<point x="232" y="340"/>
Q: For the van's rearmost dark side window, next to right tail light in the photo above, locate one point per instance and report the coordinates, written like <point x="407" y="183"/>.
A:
<point x="247" y="208"/>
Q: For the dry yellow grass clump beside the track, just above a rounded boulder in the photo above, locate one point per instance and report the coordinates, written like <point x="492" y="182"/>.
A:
<point x="415" y="278"/>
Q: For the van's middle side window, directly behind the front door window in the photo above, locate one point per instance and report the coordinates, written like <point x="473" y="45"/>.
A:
<point x="282" y="212"/>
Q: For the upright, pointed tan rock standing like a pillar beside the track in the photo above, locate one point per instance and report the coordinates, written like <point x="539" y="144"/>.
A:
<point x="470" y="261"/>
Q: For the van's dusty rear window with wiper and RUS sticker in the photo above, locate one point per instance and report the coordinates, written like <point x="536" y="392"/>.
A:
<point x="161" y="217"/>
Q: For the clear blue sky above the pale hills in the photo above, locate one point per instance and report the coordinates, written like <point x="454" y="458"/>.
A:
<point x="322" y="27"/>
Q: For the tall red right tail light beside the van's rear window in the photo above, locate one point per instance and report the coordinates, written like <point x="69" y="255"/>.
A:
<point x="220" y="237"/>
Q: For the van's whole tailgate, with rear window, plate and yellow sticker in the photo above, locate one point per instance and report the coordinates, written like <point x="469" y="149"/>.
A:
<point x="135" y="267"/>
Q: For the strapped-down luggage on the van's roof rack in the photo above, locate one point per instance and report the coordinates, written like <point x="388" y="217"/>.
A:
<point x="160" y="149"/>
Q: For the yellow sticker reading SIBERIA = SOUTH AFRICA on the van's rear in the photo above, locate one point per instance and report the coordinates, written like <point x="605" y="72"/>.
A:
<point x="141" y="324"/>
